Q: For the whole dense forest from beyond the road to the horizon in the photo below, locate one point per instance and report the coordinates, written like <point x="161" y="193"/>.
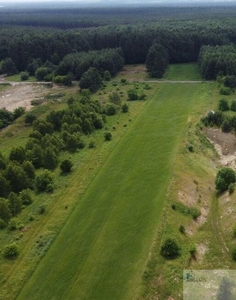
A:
<point x="65" y="41"/>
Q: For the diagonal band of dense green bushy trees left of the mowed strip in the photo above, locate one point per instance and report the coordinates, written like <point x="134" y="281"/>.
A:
<point x="60" y="130"/>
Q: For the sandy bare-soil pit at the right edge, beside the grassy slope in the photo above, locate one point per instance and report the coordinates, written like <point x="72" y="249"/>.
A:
<point x="225" y="144"/>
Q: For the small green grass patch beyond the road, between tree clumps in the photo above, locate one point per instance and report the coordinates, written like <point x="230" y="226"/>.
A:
<point x="183" y="72"/>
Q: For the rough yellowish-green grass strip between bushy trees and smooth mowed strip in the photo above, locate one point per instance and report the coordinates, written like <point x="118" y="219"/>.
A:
<point x="87" y="164"/>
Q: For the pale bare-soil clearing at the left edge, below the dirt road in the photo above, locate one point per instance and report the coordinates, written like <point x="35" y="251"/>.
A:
<point x="21" y="95"/>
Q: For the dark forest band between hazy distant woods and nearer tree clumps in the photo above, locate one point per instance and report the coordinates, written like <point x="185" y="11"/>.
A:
<point x="30" y="48"/>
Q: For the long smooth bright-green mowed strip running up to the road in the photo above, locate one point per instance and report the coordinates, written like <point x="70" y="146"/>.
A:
<point x="102" y="250"/>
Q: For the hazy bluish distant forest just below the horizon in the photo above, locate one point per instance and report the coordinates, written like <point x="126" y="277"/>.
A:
<point x="69" y="18"/>
